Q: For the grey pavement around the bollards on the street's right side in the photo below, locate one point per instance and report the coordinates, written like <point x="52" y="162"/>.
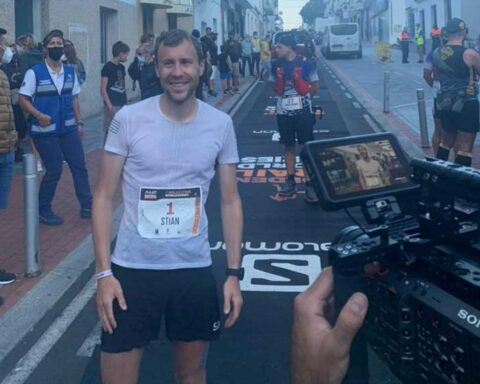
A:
<point x="365" y="80"/>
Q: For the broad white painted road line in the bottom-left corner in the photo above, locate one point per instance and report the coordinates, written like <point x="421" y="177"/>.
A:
<point x="37" y="353"/>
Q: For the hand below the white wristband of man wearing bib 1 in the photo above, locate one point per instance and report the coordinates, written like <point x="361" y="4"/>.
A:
<point x="109" y="289"/>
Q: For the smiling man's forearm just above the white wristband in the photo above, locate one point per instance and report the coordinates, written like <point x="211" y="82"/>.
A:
<point x="102" y="211"/>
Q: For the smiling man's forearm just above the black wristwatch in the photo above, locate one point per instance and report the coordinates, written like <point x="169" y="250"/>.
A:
<point x="232" y="220"/>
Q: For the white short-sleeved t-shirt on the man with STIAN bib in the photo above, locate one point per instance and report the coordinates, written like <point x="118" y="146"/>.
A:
<point x="160" y="153"/>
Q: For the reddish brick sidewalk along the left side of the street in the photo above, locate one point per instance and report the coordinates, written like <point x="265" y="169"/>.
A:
<point x="55" y="243"/>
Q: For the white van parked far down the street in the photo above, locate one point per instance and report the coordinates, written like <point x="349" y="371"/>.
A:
<point x="342" y="39"/>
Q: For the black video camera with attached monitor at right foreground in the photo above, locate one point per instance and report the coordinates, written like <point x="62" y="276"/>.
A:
<point x="424" y="301"/>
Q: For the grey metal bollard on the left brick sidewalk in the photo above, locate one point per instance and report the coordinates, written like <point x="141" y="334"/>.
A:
<point x="30" y="200"/>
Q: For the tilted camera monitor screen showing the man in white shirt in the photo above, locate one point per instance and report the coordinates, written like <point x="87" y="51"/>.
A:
<point x="348" y="171"/>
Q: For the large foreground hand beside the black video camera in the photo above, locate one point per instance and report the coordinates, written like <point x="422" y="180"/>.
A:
<point x="320" y="351"/>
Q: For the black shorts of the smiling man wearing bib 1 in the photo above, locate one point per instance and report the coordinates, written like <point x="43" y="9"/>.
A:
<point x="186" y="298"/>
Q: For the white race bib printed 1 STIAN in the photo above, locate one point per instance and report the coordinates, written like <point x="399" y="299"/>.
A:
<point x="169" y="212"/>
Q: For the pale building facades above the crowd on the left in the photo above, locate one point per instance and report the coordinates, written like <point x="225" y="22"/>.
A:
<point x="94" y="25"/>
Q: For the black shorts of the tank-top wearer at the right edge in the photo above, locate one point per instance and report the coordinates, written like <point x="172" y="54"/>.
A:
<point x="466" y="121"/>
